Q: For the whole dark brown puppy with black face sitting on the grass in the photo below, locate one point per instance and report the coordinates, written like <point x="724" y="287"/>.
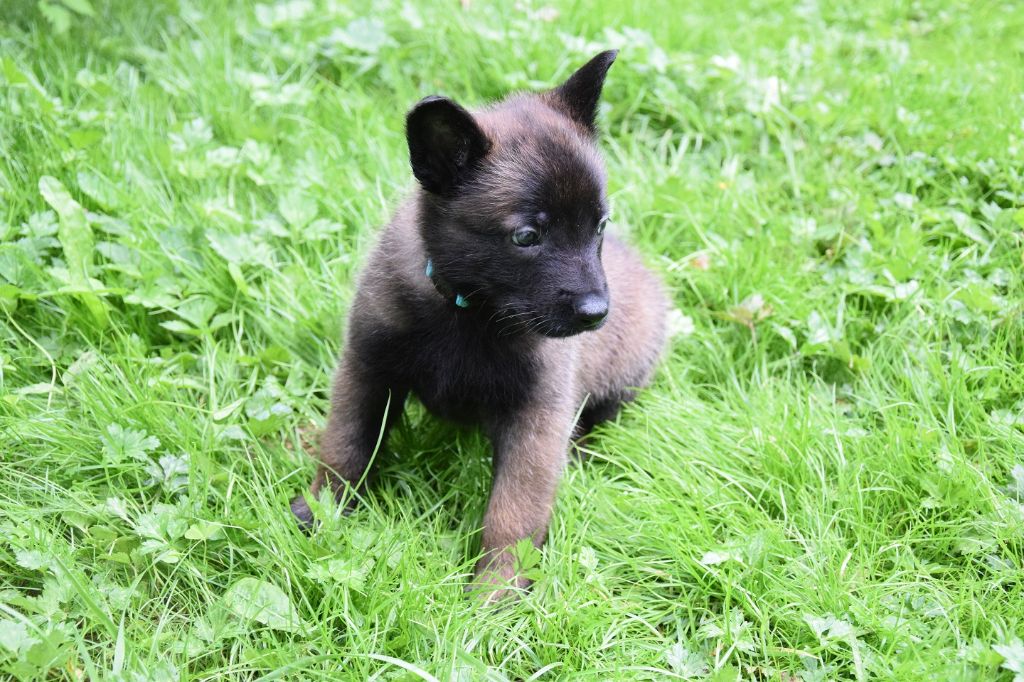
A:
<point x="495" y="296"/>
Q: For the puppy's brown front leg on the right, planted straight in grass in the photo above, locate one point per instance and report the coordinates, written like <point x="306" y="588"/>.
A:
<point x="530" y="453"/>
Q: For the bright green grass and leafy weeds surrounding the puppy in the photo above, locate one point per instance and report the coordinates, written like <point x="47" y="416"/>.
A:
<point x="824" y="483"/>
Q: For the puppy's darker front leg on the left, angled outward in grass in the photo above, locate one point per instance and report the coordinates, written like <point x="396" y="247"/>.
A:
<point x="361" y="407"/>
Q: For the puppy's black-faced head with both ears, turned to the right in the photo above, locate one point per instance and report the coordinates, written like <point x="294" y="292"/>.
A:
<point x="514" y="205"/>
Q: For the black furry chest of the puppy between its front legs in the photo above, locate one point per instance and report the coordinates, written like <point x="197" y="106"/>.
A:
<point x="461" y="375"/>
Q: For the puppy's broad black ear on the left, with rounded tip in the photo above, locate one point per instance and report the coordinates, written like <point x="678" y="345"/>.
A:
<point x="445" y="144"/>
